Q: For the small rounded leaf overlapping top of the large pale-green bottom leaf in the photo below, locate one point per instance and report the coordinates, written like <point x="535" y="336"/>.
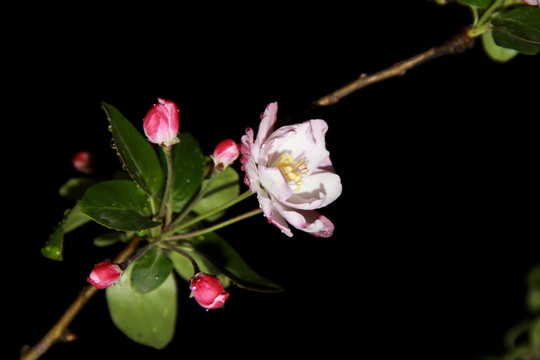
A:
<point x="150" y="270"/>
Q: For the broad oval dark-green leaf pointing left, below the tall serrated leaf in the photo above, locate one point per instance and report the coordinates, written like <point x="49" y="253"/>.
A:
<point x="118" y="204"/>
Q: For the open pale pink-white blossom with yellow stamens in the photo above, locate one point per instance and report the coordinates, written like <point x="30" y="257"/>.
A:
<point x="291" y="171"/>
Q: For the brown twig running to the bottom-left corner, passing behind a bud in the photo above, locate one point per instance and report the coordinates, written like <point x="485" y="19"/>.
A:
<point x="59" y="330"/>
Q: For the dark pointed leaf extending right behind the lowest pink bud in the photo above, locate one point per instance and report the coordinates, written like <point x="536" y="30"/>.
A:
<point x="227" y="260"/>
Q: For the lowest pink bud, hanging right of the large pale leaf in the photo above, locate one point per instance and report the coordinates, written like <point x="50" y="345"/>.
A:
<point x="208" y="290"/>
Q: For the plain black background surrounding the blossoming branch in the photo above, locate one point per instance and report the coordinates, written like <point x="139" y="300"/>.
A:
<point x="434" y="228"/>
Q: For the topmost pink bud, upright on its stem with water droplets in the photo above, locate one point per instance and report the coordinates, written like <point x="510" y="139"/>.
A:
<point x="162" y="122"/>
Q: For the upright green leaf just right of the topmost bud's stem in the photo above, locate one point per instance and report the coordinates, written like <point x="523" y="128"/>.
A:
<point x="188" y="165"/>
